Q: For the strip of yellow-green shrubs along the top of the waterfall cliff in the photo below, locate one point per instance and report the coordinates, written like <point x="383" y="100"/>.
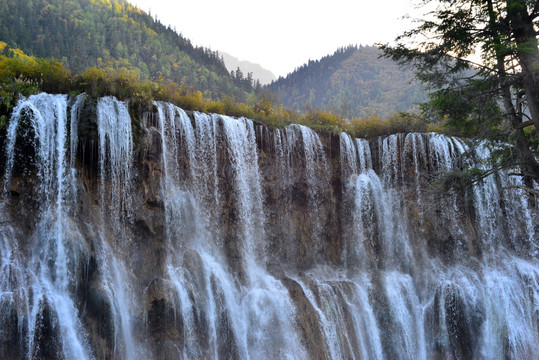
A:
<point x="26" y="75"/>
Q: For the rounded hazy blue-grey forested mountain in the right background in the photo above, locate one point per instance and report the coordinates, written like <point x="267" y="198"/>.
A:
<point x="352" y="82"/>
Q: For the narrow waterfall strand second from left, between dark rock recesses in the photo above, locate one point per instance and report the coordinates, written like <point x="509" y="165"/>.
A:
<point x="115" y="157"/>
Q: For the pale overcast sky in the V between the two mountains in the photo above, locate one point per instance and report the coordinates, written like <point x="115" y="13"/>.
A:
<point x="283" y="34"/>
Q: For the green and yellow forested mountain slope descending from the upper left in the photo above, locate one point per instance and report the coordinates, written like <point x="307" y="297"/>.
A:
<point x="114" y="33"/>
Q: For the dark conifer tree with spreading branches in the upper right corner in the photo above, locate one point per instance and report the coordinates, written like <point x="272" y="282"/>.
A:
<point x="497" y="96"/>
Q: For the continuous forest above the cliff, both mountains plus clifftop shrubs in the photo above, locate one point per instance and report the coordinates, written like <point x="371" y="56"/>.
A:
<point x="110" y="47"/>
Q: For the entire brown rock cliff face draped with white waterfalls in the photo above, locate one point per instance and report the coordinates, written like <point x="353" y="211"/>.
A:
<point x="130" y="234"/>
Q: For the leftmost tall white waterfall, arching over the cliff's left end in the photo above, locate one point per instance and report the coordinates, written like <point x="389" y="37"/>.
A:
<point x="45" y="278"/>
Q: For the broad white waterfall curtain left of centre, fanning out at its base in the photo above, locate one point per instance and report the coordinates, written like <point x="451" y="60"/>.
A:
<point x="258" y="311"/>
